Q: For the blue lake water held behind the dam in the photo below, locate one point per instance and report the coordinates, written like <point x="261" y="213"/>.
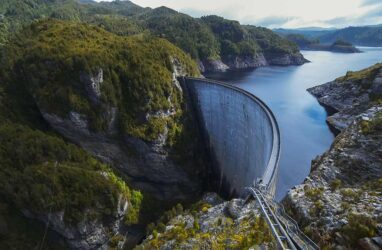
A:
<point x="304" y="131"/>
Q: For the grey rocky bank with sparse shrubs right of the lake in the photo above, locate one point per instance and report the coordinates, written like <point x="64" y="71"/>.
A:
<point x="340" y="202"/>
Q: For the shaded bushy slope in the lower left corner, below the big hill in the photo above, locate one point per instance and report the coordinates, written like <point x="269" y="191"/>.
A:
<point x="45" y="178"/>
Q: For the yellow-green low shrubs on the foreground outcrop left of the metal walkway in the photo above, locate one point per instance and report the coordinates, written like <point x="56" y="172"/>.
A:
<point x="184" y="228"/>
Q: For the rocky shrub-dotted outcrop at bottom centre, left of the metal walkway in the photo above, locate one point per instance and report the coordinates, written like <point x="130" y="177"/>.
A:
<point x="213" y="224"/>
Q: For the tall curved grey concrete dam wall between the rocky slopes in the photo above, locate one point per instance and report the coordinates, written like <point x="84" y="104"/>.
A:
<point x="240" y="132"/>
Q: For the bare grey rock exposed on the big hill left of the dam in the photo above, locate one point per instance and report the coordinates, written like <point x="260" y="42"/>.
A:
<point x="146" y="165"/>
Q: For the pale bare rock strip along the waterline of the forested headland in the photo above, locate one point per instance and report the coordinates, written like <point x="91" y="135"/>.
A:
<point x="249" y="62"/>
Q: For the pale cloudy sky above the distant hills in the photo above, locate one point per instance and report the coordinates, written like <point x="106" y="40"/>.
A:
<point x="281" y="13"/>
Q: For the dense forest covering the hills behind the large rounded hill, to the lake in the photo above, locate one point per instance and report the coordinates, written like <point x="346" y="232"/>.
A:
<point x="205" y="38"/>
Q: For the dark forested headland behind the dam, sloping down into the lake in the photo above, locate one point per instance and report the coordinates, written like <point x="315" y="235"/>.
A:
<point x="220" y="44"/>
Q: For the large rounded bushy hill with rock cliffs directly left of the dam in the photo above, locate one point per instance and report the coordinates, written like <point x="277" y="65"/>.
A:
<point x="116" y="97"/>
